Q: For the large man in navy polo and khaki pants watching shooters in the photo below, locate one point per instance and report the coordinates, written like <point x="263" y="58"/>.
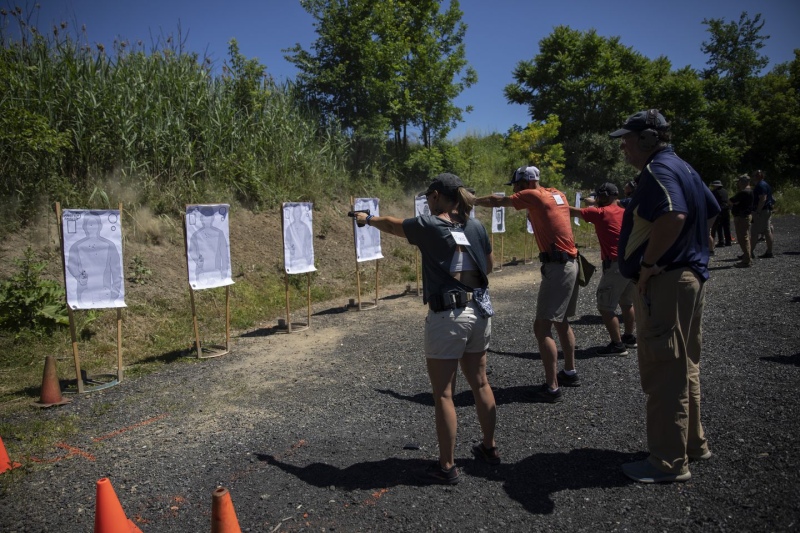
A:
<point x="664" y="248"/>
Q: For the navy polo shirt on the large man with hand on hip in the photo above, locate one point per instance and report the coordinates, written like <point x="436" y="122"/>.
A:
<point x="668" y="184"/>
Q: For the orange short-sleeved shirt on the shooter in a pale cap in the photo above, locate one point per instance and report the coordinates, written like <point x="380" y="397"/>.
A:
<point x="548" y="211"/>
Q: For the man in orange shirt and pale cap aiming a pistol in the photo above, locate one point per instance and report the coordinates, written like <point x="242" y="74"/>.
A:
<point x="548" y="212"/>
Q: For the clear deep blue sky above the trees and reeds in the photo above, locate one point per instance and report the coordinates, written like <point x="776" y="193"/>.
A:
<point x="500" y="34"/>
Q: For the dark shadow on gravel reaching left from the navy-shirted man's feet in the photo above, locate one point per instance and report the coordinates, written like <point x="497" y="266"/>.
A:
<point x="533" y="480"/>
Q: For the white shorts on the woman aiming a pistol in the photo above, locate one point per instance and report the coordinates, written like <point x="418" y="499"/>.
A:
<point x="452" y="333"/>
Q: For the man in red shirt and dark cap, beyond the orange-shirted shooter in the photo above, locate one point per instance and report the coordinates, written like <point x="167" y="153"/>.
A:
<point x="613" y="289"/>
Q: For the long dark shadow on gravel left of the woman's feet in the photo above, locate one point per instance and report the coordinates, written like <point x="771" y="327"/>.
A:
<point x="366" y="476"/>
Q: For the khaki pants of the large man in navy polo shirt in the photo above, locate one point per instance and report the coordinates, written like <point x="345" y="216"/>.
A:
<point x="668" y="320"/>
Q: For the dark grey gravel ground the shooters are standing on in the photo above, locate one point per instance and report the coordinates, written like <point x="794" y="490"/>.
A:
<point x="324" y="430"/>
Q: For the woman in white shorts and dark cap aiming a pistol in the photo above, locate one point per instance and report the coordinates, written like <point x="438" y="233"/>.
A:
<point x="456" y="259"/>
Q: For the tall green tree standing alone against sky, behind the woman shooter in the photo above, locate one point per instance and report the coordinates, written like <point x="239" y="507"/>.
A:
<point x="384" y="66"/>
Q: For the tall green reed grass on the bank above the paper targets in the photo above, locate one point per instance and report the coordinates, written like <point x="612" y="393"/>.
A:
<point x="163" y="123"/>
